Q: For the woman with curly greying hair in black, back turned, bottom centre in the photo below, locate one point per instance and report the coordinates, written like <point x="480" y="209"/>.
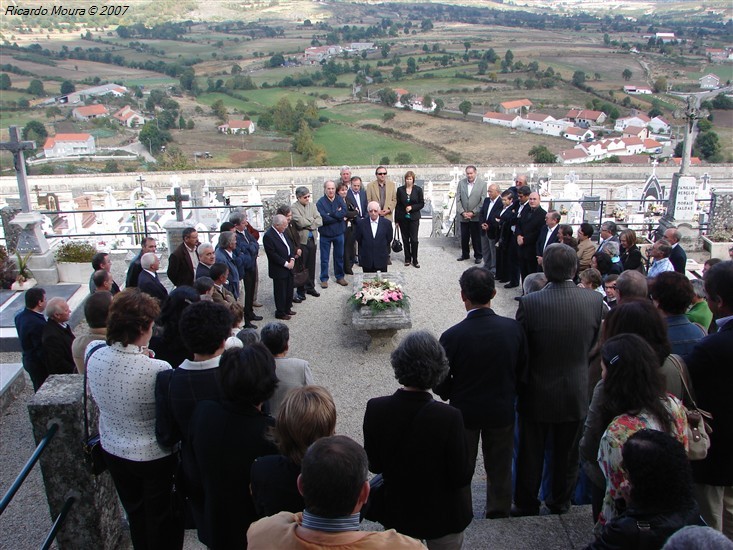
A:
<point x="419" y="447"/>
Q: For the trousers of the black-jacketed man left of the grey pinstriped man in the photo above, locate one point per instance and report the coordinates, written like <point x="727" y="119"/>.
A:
<point x="497" y="448"/>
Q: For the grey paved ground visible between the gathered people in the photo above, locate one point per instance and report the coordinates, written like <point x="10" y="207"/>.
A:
<point x="321" y="332"/>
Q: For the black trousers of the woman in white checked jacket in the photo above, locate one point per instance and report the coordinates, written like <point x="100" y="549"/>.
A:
<point x="144" y="489"/>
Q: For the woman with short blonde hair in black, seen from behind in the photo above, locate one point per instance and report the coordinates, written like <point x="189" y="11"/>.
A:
<point x="305" y="415"/>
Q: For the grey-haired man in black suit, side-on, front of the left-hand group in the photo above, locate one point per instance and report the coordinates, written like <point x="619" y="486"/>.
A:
<point x="280" y="252"/>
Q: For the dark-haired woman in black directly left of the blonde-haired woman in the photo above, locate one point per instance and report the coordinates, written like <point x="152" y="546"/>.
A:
<point x="225" y="438"/>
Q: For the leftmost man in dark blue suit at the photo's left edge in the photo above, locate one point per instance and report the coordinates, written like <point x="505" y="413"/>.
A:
<point x="29" y="323"/>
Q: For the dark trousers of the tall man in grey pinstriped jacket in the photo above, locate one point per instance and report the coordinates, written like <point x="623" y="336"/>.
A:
<point x="532" y="440"/>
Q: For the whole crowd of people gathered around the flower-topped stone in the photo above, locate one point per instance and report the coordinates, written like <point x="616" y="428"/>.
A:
<point x="580" y="398"/>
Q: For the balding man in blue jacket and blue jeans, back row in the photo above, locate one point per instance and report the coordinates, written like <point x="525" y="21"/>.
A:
<point x="332" y="209"/>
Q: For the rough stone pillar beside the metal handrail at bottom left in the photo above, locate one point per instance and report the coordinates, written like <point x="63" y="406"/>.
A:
<point x="95" y="520"/>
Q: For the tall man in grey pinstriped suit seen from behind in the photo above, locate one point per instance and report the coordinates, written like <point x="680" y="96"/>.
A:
<point x="562" y="323"/>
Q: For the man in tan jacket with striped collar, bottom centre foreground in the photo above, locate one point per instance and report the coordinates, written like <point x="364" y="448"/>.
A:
<point x="334" y="485"/>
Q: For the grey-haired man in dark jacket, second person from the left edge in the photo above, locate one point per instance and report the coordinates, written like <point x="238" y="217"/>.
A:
<point x="57" y="338"/>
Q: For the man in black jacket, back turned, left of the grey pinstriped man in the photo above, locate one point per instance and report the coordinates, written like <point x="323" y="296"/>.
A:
<point x="486" y="354"/>
